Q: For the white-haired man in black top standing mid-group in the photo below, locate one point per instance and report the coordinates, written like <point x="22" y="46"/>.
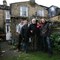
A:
<point x="32" y="34"/>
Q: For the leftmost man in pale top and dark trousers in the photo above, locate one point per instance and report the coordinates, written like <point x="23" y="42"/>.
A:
<point x="18" y="30"/>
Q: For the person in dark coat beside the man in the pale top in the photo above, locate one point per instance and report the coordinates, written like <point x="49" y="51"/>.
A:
<point x="24" y="32"/>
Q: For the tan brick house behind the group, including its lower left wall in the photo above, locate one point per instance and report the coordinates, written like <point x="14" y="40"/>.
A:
<point x="25" y="10"/>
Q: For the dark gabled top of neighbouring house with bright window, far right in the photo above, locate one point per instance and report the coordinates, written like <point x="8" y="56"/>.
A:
<point x="53" y="11"/>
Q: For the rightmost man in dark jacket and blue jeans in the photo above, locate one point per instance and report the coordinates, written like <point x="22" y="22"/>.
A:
<point x="45" y="32"/>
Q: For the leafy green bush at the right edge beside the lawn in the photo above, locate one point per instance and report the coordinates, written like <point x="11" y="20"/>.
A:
<point x="56" y="40"/>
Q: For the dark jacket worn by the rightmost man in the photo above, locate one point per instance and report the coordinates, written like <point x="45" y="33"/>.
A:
<point x="45" y="29"/>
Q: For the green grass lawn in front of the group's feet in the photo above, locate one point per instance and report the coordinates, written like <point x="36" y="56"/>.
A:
<point x="37" y="56"/>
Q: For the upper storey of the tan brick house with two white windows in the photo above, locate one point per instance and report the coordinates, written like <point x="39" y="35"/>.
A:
<point x="27" y="9"/>
